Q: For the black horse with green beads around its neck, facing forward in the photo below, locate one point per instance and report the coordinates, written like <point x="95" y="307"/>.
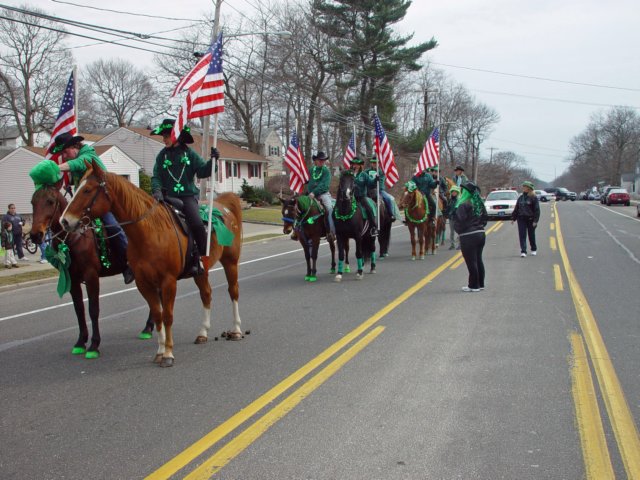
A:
<point x="350" y="223"/>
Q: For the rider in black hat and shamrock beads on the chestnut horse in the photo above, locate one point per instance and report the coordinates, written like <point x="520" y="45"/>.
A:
<point x="174" y="174"/>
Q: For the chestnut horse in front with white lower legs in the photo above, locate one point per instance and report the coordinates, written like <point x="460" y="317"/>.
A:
<point x="157" y="247"/>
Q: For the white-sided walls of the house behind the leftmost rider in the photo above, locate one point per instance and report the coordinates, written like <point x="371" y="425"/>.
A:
<point x="17" y="187"/>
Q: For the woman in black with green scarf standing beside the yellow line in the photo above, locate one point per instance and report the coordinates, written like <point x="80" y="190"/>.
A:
<point x="471" y="218"/>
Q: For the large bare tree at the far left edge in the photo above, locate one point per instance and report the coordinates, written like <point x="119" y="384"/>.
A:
<point x="34" y="69"/>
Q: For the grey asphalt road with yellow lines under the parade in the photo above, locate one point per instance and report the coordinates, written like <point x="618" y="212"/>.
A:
<point x="400" y="375"/>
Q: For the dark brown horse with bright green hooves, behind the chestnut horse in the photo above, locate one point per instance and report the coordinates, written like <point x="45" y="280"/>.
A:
<point x="86" y="267"/>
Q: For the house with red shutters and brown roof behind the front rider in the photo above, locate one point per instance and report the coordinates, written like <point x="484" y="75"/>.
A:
<point x="236" y="164"/>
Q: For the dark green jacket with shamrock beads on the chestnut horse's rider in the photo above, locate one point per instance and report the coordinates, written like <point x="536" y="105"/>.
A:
<point x="175" y="171"/>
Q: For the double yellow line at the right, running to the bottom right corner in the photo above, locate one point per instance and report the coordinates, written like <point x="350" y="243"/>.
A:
<point x="592" y="438"/>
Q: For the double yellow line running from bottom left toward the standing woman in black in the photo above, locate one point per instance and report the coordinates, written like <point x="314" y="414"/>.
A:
<point x="239" y="443"/>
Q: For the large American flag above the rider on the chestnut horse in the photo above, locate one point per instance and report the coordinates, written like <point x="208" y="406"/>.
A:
<point x="207" y="96"/>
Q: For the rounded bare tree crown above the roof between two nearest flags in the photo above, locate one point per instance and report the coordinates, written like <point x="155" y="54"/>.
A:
<point x="121" y="92"/>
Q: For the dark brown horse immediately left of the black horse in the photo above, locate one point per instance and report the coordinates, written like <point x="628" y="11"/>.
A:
<point x="303" y="214"/>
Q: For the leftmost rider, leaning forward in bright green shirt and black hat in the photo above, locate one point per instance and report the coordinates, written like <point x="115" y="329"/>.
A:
<point x="75" y="154"/>
